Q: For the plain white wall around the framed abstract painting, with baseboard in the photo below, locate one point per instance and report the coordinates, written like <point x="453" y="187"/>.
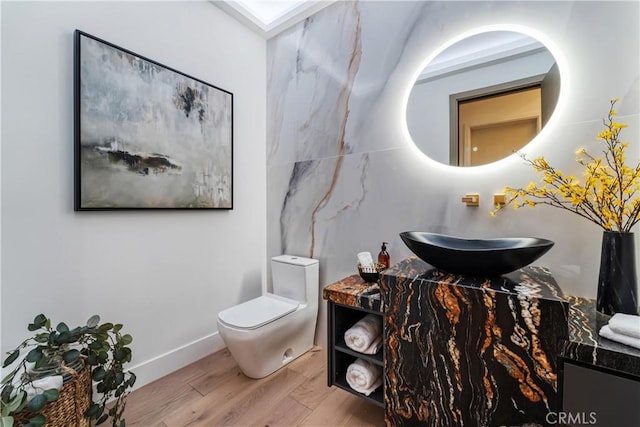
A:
<point x="164" y="274"/>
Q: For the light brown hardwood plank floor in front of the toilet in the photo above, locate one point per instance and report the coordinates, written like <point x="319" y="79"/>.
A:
<point x="214" y="392"/>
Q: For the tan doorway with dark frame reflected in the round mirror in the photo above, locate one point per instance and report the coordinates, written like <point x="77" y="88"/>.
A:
<point x="494" y="127"/>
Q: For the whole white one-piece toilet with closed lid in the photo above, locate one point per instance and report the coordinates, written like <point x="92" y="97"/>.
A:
<point x="266" y="333"/>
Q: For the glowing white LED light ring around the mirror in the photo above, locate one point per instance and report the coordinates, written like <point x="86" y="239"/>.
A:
<point x="546" y="129"/>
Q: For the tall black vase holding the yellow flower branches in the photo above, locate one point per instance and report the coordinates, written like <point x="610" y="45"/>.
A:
<point x="617" y="284"/>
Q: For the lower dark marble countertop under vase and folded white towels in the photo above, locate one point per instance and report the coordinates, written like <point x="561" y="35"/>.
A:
<point x="586" y="346"/>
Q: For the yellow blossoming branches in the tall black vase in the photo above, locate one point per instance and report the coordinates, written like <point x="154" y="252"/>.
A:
<point x="607" y="197"/>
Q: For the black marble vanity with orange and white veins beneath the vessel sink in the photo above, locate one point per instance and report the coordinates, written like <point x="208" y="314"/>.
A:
<point x="462" y="351"/>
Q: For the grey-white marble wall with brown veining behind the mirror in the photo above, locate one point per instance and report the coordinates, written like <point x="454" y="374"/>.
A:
<point x="342" y="175"/>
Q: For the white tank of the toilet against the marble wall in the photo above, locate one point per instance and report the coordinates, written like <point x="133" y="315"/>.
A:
<point x="296" y="278"/>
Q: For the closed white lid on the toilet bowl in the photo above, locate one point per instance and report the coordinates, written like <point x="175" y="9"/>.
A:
<point x="257" y="312"/>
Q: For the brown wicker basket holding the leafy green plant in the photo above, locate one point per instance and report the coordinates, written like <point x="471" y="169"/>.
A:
<point x="68" y="410"/>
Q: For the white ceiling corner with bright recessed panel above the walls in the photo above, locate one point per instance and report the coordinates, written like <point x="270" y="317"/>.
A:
<point x="270" y="17"/>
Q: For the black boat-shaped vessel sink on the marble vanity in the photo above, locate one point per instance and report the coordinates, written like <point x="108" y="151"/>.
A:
<point x="477" y="257"/>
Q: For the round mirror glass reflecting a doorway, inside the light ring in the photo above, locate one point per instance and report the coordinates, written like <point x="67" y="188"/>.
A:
<point x="483" y="98"/>
